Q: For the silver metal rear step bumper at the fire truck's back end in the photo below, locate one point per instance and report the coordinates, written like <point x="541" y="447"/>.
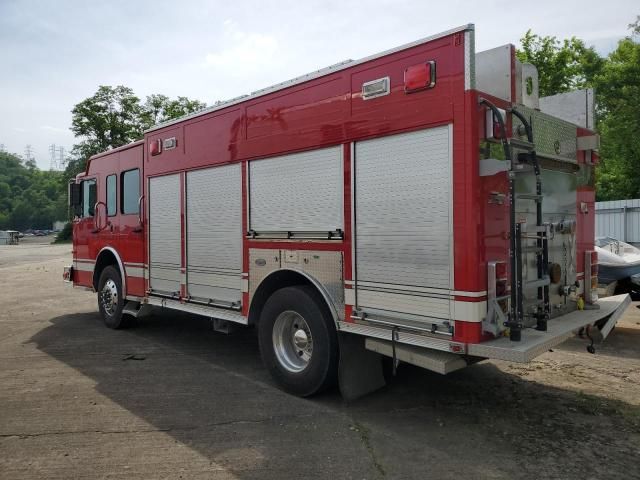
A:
<point x="535" y="343"/>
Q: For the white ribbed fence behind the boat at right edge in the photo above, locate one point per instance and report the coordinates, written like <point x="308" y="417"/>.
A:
<point x="619" y="219"/>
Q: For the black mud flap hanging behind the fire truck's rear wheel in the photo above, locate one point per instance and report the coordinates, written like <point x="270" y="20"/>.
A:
<point x="359" y="370"/>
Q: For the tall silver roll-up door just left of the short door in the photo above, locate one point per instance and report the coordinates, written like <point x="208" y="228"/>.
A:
<point x="214" y="234"/>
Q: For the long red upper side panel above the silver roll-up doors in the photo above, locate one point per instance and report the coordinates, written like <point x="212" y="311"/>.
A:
<point x="324" y="111"/>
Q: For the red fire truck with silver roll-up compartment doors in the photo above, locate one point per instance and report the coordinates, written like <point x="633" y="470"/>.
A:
<point x="422" y="204"/>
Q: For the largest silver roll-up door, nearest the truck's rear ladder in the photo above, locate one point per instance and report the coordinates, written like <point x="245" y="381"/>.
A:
<point x="403" y="224"/>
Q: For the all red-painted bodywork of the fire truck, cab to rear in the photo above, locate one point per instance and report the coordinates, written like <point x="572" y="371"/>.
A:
<point x="325" y="111"/>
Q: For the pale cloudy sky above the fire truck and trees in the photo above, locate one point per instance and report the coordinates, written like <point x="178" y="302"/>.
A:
<point x="54" y="54"/>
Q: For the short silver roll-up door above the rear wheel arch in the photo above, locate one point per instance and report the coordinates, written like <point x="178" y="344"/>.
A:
<point x="300" y="192"/>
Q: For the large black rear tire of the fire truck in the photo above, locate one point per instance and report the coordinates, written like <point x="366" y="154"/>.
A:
<point x="321" y="369"/>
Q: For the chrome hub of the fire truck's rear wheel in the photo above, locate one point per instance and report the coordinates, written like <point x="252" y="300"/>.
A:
<point x="292" y="341"/>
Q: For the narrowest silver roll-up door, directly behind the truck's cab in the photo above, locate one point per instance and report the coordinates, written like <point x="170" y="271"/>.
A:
<point x="164" y="234"/>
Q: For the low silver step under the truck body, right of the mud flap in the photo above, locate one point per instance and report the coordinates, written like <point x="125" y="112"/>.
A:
<point x="434" y="360"/>
